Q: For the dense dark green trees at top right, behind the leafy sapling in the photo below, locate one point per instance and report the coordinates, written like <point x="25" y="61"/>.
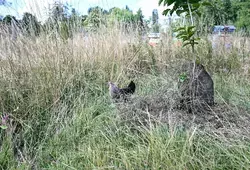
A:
<point x="225" y="12"/>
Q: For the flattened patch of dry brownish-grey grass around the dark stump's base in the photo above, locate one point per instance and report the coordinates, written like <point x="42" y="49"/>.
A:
<point x="222" y="119"/>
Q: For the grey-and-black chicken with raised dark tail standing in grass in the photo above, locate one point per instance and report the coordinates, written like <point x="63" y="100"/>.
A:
<point x="117" y="93"/>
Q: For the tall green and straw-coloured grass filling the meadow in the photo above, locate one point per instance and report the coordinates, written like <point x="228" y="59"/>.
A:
<point x="61" y="116"/>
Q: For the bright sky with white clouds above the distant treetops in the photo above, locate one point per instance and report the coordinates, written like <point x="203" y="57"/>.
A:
<point x="39" y="8"/>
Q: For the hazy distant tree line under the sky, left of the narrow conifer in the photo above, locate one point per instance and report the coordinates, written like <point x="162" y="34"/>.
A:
<point x="63" y="22"/>
